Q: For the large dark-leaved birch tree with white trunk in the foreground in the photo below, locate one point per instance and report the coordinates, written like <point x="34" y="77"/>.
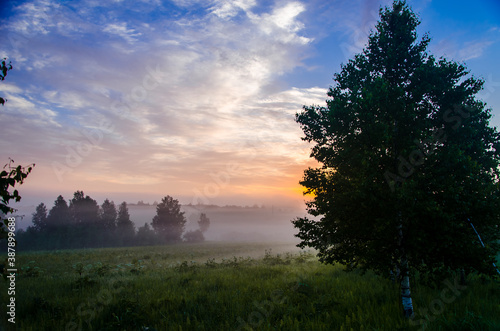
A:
<point x="408" y="162"/>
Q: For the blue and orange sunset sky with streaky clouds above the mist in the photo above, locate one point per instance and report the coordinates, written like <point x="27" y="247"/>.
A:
<point x="138" y="99"/>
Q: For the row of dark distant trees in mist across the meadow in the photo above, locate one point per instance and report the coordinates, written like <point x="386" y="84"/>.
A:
<point x="82" y="223"/>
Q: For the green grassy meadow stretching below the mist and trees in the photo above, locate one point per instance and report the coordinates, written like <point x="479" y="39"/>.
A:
<point x="229" y="286"/>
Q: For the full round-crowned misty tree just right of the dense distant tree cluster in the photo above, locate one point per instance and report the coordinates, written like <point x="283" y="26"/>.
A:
<point x="169" y="221"/>
